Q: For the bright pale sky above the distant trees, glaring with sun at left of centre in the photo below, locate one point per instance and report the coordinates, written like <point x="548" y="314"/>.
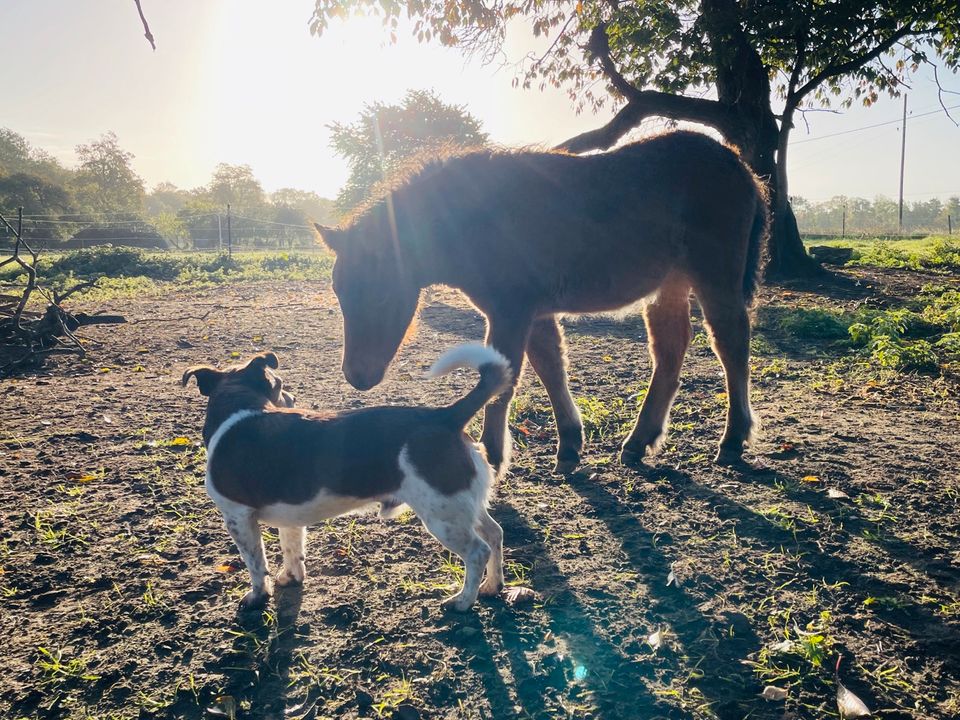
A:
<point x="243" y="81"/>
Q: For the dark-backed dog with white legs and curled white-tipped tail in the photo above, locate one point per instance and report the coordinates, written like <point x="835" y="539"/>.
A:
<point x="289" y="468"/>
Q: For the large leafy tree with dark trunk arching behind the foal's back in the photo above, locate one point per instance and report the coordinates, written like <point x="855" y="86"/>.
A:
<point x="742" y="67"/>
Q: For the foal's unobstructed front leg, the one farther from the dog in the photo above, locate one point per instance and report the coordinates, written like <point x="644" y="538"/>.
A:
<point x="546" y="351"/>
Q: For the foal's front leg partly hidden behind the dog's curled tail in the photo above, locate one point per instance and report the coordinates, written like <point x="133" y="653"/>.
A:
<point x="508" y="335"/>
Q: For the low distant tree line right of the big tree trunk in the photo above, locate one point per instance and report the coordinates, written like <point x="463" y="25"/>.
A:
<point x="879" y="216"/>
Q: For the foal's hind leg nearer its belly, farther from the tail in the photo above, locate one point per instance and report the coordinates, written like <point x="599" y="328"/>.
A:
<point x="668" y="336"/>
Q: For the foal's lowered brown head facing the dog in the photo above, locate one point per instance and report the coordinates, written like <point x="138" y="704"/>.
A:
<point x="378" y="299"/>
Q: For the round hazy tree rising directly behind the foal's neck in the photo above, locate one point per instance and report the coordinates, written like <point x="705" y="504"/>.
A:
<point x="388" y="136"/>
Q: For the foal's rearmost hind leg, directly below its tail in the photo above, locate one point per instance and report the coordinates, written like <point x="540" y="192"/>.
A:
<point x="728" y="320"/>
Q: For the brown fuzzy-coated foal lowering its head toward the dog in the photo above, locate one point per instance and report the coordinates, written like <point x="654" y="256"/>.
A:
<point x="528" y="236"/>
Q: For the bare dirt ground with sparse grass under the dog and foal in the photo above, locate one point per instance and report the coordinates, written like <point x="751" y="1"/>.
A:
<point x="676" y="591"/>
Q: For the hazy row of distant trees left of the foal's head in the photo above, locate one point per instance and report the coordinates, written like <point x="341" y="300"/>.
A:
<point x="103" y="198"/>
